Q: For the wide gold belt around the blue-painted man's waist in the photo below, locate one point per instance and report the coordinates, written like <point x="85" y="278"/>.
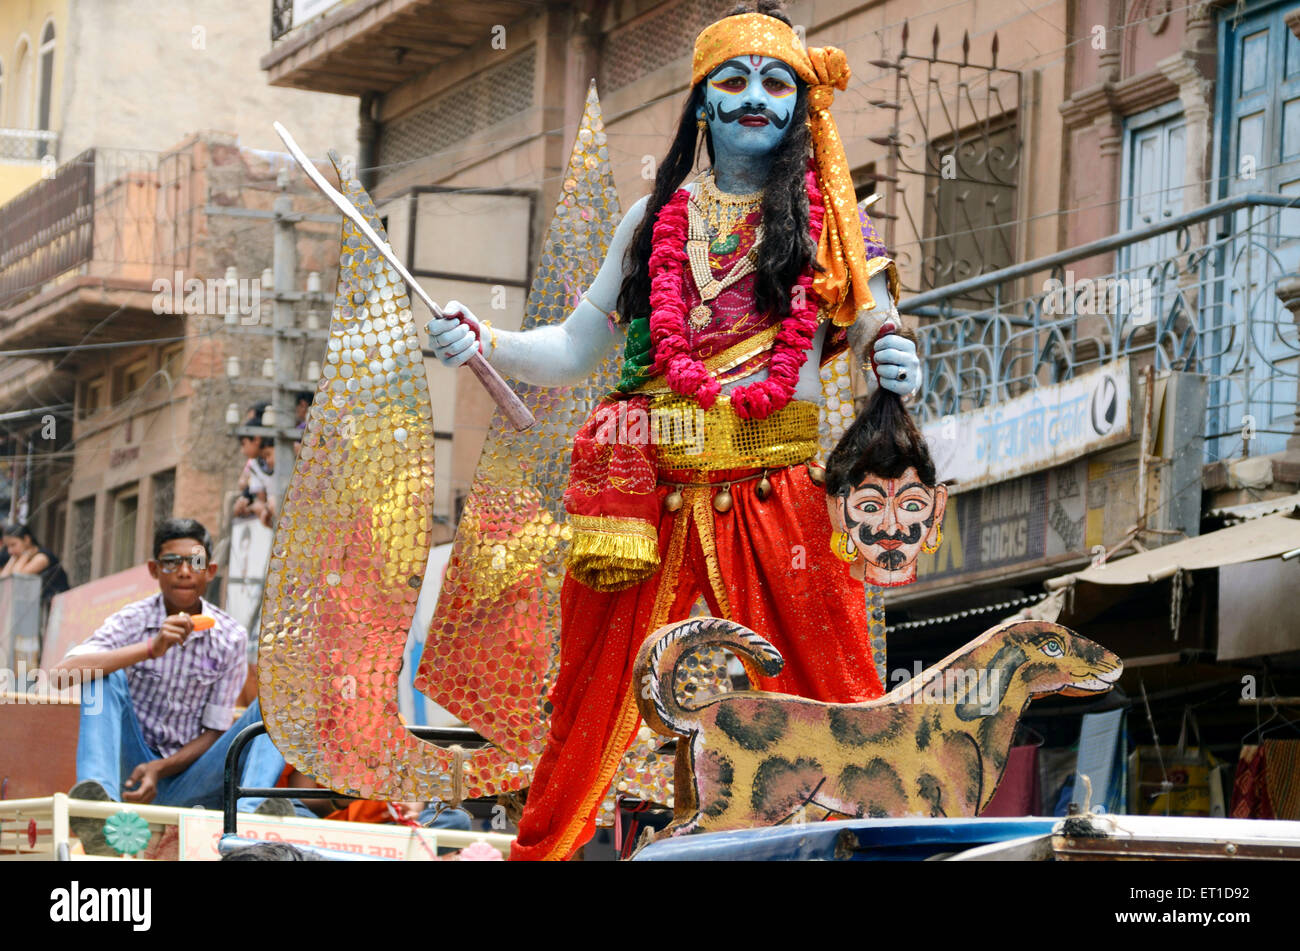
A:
<point x="717" y="438"/>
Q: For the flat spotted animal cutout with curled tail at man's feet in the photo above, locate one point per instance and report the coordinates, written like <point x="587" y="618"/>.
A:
<point x="934" y="746"/>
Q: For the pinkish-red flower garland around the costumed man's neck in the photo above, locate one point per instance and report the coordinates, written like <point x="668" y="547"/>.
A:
<point x="688" y="376"/>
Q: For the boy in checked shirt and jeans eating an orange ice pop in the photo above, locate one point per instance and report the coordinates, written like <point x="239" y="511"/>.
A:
<point x="158" y="696"/>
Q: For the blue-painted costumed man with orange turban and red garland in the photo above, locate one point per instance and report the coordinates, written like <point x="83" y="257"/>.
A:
<point x="695" y="479"/>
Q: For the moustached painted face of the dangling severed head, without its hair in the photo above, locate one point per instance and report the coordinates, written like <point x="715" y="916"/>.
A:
<point x="886" y="524"/>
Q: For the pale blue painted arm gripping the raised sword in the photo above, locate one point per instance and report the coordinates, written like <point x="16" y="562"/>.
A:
<point x="558" y="355"/>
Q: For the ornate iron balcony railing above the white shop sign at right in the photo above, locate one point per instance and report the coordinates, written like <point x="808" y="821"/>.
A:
<point x="1207" y="298"/>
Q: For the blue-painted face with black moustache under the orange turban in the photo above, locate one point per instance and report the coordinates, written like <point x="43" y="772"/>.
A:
<point x="749" y="103"/>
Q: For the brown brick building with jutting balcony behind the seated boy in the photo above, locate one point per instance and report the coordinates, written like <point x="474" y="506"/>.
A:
<point x="119" y="418"/>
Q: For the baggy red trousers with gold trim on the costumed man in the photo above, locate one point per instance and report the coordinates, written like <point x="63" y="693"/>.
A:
<point x="766" y="564"/>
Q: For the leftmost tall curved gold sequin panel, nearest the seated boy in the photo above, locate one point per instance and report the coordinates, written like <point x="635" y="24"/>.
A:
<point x="352" y="546"/>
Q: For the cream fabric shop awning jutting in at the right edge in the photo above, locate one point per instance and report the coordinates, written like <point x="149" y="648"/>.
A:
<point x="1259" y="539"/>
